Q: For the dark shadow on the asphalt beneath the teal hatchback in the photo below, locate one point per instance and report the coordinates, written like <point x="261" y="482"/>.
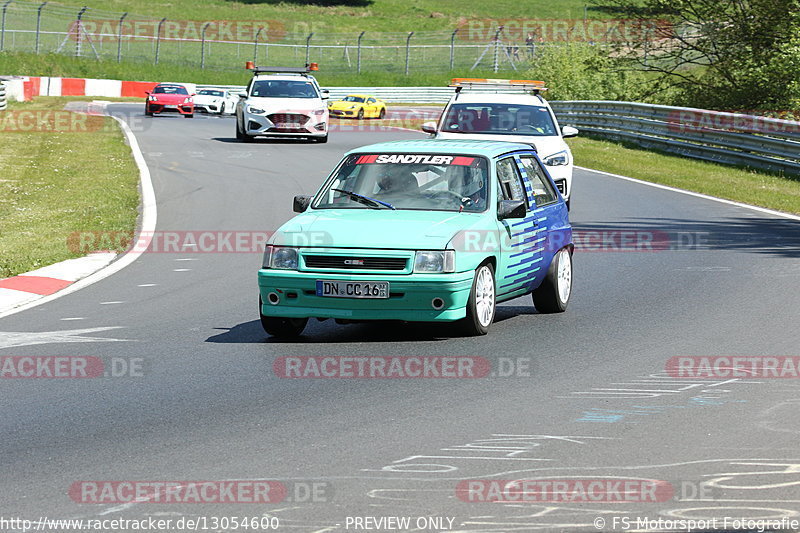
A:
<point x="377" y="331"/>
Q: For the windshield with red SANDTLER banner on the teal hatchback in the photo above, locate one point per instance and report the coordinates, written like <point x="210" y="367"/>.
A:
<point x="430" y="182"/>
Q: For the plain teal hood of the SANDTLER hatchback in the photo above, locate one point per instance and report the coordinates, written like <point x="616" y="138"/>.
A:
<point x="375" y="228"/>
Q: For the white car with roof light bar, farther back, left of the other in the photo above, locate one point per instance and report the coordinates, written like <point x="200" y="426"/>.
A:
<point x="282" y="102"/>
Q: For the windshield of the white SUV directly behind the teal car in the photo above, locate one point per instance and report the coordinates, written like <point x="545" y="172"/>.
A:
<point x="499" y="119"/>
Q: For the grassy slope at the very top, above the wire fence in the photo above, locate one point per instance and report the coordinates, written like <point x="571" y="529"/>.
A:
<point x="302" y="16"/>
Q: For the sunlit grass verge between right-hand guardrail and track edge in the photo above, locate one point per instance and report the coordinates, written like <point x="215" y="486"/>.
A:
<point x="772" y="191"/>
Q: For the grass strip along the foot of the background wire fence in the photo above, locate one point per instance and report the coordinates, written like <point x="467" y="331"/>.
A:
<point x="27" y="64"/>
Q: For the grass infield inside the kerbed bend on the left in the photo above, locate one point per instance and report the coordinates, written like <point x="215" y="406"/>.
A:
<point x="56" y="183"/>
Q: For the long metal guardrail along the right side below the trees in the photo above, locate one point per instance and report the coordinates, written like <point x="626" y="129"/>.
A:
<point x="731" y="138"/>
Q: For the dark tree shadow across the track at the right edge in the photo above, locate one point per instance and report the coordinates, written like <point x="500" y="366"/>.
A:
<point x="763" y="235"/>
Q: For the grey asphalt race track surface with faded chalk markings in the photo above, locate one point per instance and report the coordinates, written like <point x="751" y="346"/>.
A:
<point x="591" y="399"/>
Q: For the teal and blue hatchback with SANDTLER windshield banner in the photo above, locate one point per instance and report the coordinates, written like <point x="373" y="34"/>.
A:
<point x="425" y="230"/>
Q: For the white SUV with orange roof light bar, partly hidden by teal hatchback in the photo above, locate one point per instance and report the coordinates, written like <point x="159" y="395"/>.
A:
<point x="504" y="115"/>
